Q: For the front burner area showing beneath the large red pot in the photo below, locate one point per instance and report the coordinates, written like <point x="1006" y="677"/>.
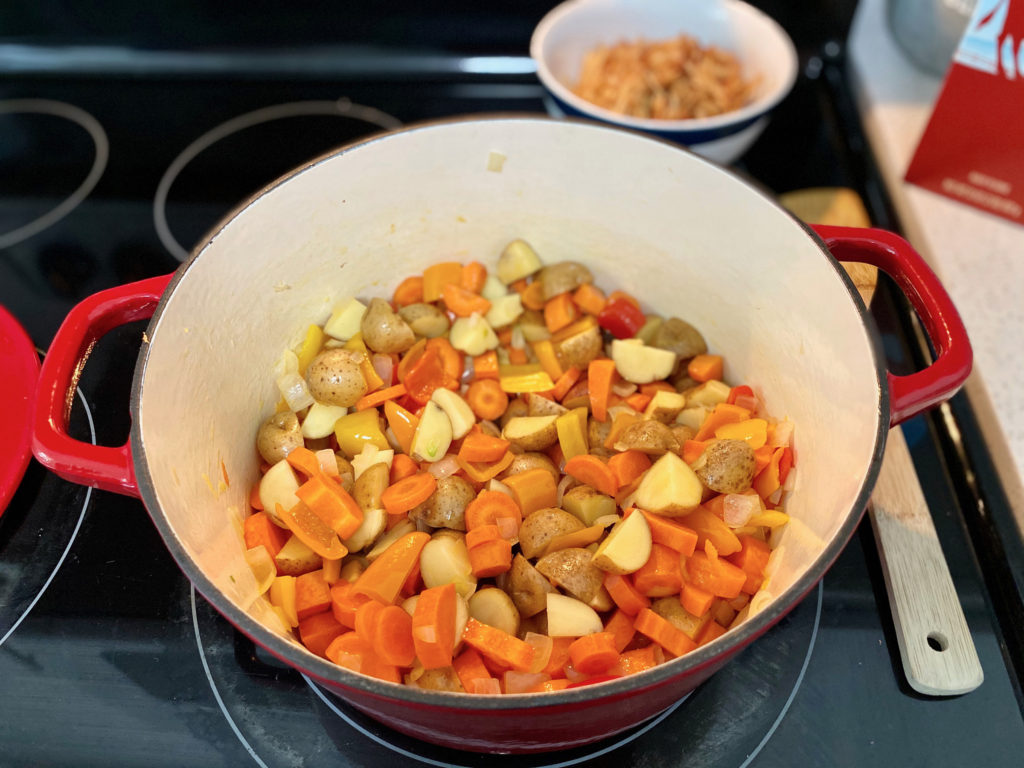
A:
<point x="281" y="717"/>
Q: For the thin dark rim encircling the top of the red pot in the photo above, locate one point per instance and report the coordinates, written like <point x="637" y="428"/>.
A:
<point x="332" y="674"/>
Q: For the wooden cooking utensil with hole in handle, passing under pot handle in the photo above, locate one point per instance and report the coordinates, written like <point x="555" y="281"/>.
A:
<point x="938" y="655"/>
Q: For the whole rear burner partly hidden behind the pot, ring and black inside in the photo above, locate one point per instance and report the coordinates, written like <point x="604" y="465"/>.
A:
<point x="274" y="152"/>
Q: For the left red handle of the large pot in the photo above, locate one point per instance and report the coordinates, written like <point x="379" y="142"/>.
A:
<point x="107" y="468"/>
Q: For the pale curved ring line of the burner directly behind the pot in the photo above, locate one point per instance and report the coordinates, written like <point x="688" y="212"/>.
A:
<point x="340" y="108"/>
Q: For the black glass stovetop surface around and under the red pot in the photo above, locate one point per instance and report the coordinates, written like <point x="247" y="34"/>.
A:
<point x="111" y="169"/>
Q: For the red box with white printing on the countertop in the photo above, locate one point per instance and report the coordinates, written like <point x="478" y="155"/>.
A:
<point x="973" y="148"/>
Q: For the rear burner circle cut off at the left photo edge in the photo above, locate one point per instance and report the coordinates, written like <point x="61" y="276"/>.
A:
<point x="21" y="142"/>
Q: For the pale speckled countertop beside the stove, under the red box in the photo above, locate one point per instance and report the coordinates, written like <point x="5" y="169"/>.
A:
<point x="978" y="257"/>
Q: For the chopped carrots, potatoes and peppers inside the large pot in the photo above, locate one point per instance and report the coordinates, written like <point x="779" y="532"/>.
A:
<point x="507" y="481"/>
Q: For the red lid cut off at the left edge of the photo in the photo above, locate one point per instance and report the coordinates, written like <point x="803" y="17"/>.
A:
<point x="20" y="365"/>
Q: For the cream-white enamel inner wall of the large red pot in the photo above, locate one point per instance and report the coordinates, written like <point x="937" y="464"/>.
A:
<point x="686" y="237"/>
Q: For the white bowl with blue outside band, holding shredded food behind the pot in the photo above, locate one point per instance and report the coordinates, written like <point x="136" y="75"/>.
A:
<point x="572" y="29"/>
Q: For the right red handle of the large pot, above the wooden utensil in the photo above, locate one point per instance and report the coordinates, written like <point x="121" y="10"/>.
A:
<point x="920" y="392"/>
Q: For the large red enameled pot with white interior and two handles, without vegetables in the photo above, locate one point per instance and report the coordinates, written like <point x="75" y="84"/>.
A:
<point x="686" y="236"/>
